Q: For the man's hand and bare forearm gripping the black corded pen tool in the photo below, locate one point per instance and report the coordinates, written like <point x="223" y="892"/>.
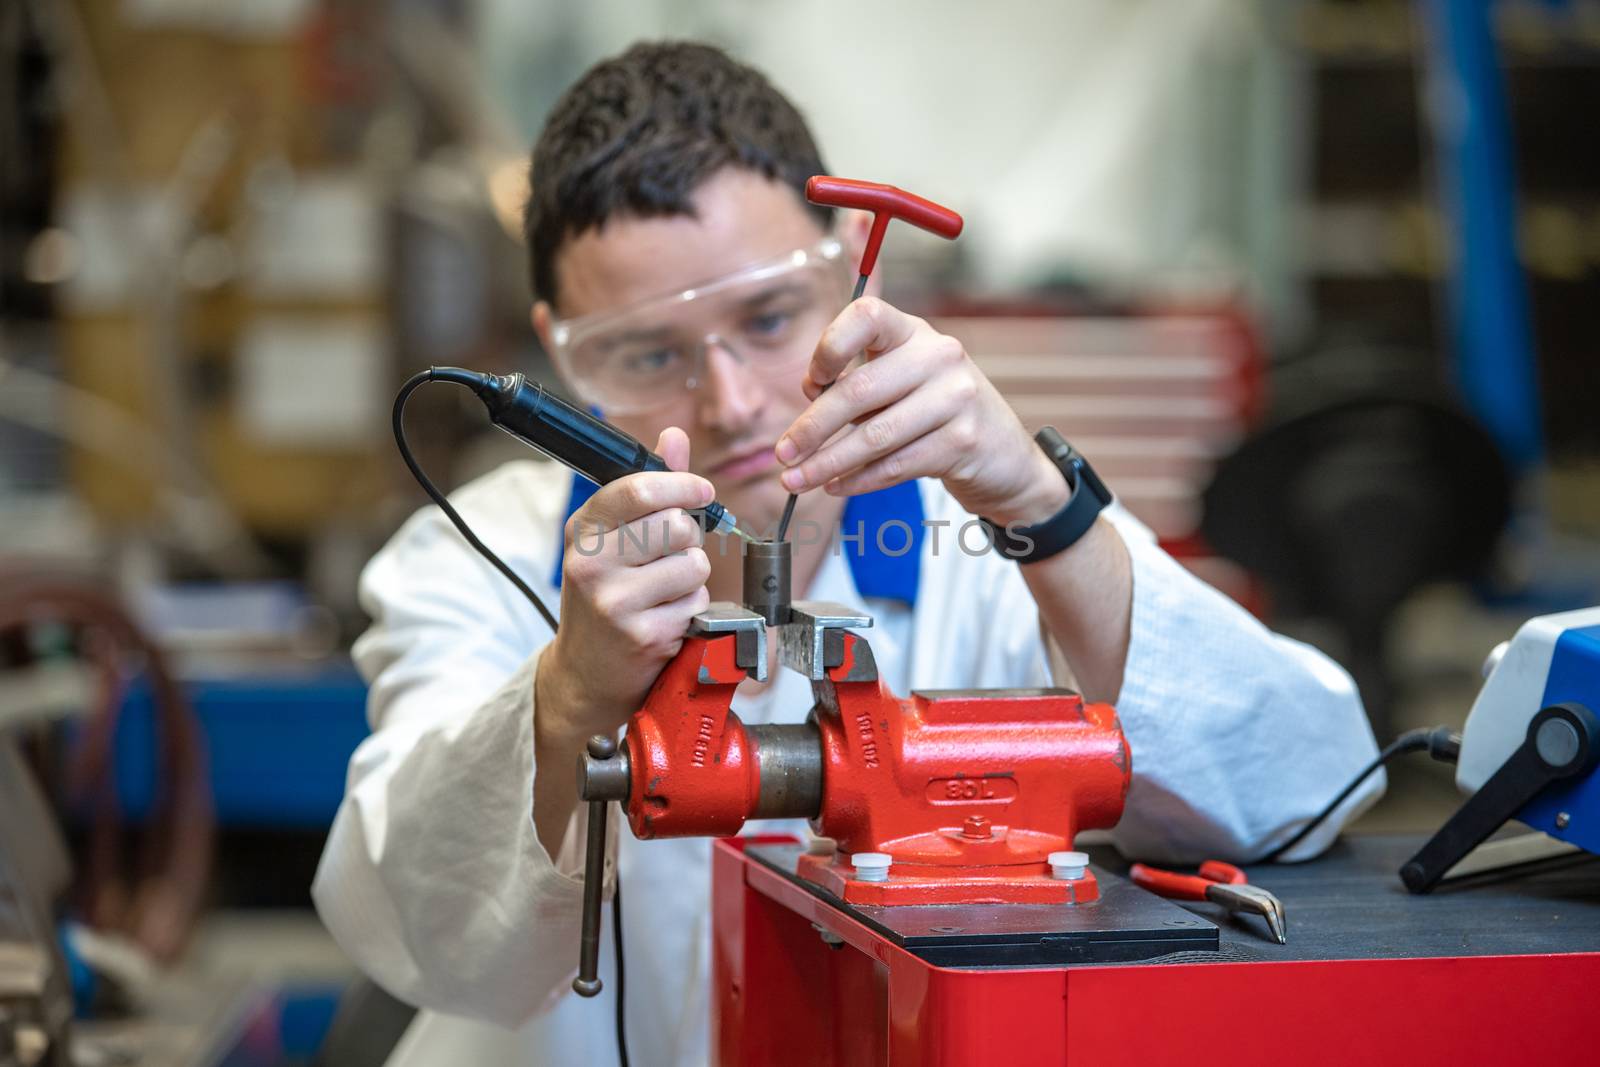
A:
<point x="633" y="577"/>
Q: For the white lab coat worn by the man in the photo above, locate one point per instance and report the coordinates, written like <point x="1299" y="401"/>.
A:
<point x="436" y="884"/>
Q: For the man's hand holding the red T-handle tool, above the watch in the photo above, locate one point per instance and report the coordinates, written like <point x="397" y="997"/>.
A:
<point x="916" y="409"/>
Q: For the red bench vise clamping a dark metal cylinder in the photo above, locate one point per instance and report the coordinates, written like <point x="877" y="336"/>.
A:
<point x="943" y="797"/>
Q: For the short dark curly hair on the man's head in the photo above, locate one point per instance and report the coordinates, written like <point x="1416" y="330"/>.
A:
<point x="641" y="132"/>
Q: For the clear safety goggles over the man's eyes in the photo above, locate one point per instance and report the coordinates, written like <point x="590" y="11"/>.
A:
<point x="767" y="316"/>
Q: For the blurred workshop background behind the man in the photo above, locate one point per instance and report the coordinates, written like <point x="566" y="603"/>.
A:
<point x="1313" y="284"/>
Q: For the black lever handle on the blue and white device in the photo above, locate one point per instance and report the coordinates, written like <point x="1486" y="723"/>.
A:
<point x="1562" y="741"/>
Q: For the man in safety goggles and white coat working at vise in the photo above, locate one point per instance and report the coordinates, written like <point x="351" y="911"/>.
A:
<point x="687" y="289"/>
